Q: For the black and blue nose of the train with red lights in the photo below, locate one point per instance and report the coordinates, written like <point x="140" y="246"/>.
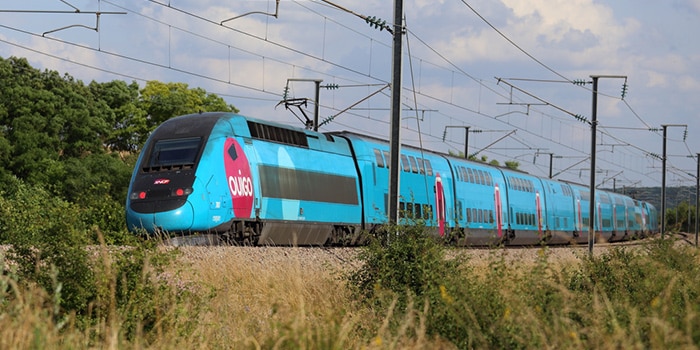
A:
<point x="164" y="186"/>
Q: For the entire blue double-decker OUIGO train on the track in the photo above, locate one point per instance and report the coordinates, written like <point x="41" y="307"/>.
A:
<point x="248" y="181"/>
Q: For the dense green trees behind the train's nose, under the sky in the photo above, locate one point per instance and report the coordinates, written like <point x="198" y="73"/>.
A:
<point x="73" y="145"/>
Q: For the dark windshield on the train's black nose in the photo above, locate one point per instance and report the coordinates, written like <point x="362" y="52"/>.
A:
<point x="175" y="152"/>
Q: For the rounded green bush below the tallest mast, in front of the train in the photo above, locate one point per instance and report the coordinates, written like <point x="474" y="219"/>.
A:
<point x="404" y="266"/>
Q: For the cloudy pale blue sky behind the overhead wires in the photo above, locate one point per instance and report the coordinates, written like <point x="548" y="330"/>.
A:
<point x="503" y="69"/>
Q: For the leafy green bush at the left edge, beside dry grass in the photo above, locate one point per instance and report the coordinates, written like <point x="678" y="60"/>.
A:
<point x="48" y="240"/>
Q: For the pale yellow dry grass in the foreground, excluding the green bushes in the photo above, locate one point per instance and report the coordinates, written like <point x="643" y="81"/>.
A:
<point x="296" y="298"/>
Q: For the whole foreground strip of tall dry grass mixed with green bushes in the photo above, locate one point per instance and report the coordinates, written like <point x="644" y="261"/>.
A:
<point x="412" y="293"/>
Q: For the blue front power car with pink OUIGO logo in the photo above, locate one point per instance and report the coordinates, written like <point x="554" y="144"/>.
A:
<point x="249" y="180"/>
